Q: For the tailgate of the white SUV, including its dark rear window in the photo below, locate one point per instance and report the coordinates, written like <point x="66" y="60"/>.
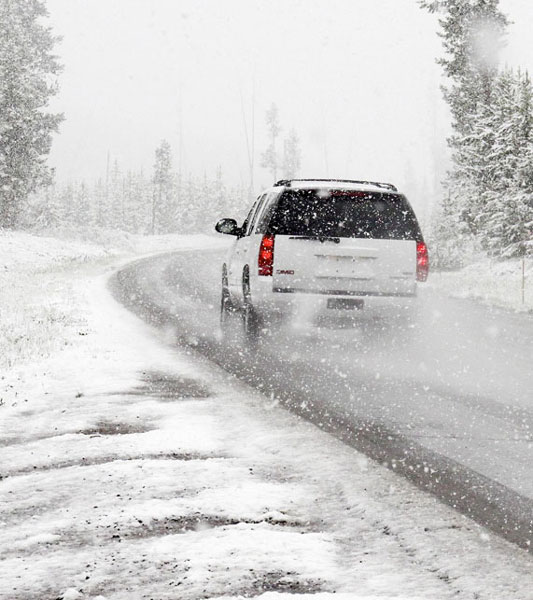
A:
<point x="344" y="242"/>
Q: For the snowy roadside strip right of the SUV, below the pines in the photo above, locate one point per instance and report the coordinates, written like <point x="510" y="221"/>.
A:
<point x="496" y="283"/>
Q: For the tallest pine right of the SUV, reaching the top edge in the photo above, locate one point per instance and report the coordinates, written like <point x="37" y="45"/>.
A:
<point x="473" y="34"/>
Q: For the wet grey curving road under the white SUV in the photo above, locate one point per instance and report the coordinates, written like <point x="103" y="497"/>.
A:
<point x="448" y="405"/>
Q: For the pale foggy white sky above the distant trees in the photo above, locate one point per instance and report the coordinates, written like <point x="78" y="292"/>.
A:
<point x="357" y="79"/>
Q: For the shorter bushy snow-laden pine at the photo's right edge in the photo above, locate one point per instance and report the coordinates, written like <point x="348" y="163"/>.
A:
<point x="500" y="171"/>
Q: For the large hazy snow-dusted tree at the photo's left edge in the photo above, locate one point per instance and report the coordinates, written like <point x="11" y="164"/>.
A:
<point x="28" y="72"/>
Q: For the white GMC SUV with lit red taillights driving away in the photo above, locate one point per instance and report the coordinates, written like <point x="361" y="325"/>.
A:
<point x="332" y="245"/>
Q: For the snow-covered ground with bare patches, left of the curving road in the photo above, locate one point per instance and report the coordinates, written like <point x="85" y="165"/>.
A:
<point x="130" y="468"/>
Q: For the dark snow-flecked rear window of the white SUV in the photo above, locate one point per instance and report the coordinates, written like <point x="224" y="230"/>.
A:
<point x="344" y="213"/>
